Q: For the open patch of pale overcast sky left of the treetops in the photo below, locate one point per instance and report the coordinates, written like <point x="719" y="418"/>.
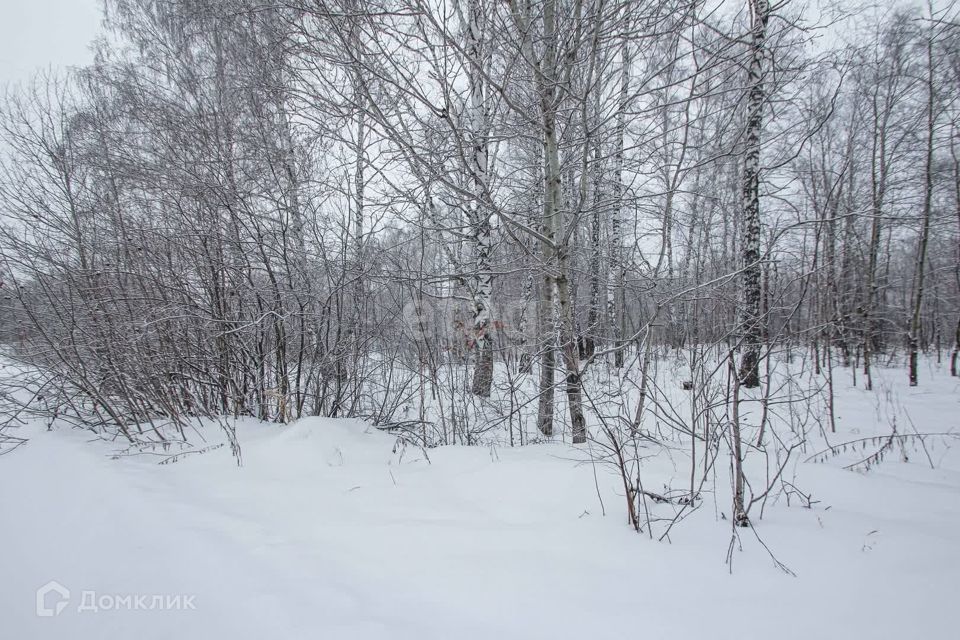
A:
<point x="41" y="33"/>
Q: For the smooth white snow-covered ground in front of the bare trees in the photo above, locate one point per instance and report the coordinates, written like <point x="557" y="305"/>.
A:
<point x="327" y="532"/>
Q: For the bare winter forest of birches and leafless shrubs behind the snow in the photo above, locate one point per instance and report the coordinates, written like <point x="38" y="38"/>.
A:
<point x="646" y="229"/>
